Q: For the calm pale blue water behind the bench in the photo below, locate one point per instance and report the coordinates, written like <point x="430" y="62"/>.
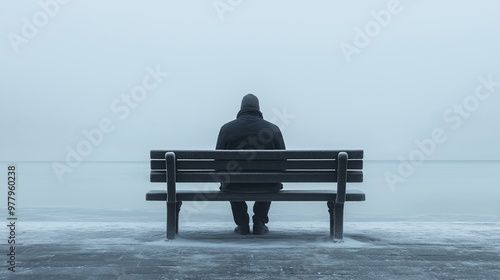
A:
<point x="435" y="187"/>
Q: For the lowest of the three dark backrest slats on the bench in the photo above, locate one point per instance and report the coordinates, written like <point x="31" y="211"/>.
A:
<point x="256" y="177"/>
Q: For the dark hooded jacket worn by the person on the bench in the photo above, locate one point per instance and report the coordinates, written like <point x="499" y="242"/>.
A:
<point x="249" y="131"/>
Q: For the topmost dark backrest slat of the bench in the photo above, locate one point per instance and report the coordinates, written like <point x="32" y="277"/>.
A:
<point x="256" y="154"/>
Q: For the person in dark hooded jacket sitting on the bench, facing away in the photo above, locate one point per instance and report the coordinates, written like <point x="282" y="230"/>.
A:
<point x="249" y="131"/>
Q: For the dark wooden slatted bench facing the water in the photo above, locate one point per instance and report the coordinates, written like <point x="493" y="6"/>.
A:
<point x="257" y="166"/>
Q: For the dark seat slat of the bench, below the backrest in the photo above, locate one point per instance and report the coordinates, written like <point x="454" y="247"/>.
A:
<point x="284" y="195"/>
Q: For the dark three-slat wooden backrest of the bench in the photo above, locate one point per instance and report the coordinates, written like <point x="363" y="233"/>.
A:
<point x="256" y="166"/>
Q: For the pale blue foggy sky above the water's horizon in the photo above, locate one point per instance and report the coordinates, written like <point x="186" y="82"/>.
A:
<point x="77" y="71"/>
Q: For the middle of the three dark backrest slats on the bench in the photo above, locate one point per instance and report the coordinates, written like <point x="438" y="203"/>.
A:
<point x="256" y="164"/>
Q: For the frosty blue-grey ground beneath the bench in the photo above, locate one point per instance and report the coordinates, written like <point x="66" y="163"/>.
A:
<point x="54" y="243"/>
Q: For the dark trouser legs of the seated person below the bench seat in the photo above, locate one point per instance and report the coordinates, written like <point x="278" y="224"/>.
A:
<point x="240" y="212"/>
